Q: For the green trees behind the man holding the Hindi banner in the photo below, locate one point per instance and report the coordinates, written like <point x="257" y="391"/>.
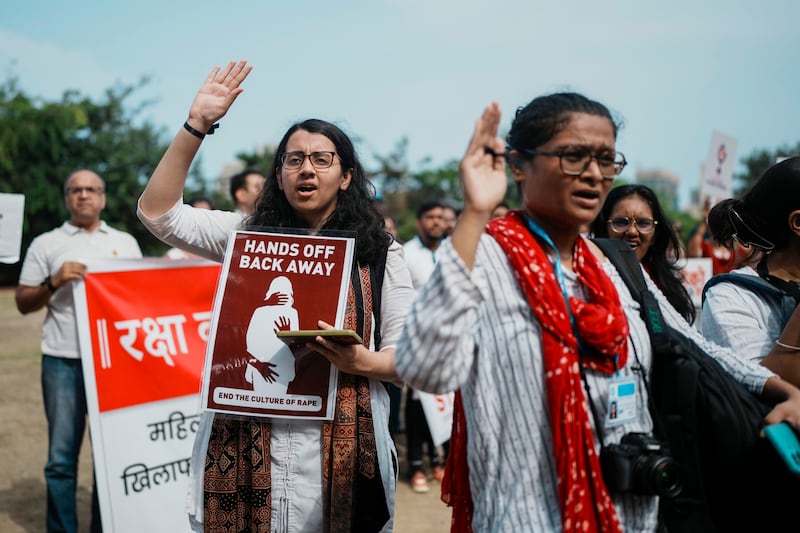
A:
<point x="42" y="142"/>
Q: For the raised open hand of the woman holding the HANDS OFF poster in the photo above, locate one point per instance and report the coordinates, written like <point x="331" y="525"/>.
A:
<point x="217" y="94"/>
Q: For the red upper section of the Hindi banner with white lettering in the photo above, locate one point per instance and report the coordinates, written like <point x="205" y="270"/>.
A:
<point x="149" y="330"/>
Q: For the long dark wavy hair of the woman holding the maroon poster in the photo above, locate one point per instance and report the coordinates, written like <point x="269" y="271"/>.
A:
<point x="355" y="207"/>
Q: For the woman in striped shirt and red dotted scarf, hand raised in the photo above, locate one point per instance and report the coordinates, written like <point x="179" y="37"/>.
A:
<point x="536" y="329"/>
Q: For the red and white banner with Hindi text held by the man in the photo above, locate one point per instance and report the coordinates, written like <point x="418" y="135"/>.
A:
<point x="143" y="327"/>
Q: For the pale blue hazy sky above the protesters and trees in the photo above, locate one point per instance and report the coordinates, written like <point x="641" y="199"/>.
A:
<point x="672" y="72"/>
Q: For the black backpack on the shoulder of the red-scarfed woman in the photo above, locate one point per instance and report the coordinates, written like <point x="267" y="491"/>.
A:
<point x="733" y="479"/>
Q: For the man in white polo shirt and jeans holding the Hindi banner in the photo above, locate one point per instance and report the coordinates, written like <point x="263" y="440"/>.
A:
<point x="53" y="261"/>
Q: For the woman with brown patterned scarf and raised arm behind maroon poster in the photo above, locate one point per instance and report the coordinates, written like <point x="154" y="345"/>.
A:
<point x="261" y="474"/>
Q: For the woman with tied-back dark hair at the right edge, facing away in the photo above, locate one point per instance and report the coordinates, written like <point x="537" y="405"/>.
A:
<point x="766" y="219"/>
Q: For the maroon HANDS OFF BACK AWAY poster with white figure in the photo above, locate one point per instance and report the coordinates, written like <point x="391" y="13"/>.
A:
<point x="272" y="282"/>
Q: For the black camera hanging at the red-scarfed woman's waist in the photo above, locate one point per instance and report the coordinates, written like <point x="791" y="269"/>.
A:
<point x="640" y="464"/>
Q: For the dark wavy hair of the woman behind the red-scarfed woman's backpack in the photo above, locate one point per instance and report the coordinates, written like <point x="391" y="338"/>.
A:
<point x="661" y="258"/>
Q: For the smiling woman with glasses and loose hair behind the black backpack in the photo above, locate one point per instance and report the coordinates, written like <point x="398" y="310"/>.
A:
<point x="632" y="213"/>
